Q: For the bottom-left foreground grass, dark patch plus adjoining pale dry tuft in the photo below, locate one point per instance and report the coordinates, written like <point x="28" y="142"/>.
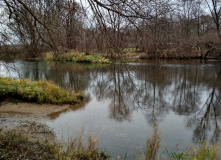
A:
<point x="15" y="146"/>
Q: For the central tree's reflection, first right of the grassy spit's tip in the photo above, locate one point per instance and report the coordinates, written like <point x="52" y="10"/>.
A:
<point x="116" y="83"/>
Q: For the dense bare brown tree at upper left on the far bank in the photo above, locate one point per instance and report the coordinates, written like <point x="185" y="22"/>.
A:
<point x="41" y="23"/>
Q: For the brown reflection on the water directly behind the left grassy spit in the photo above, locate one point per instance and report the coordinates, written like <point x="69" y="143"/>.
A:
<point x="68" y="76"/>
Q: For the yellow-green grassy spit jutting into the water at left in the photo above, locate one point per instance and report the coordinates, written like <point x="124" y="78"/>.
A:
<point x="37" y="91"/>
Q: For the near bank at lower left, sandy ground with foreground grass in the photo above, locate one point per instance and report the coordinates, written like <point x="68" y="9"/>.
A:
<point x="24" y="134"/>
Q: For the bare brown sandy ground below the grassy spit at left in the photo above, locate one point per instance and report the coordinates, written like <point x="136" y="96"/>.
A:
<point x="29" y="119"/>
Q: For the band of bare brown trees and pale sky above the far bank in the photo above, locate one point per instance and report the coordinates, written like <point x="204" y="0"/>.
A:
<point x="156" y="26"/>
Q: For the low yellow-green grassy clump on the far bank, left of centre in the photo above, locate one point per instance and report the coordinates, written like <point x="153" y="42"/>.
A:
<point x="74" y="56"/>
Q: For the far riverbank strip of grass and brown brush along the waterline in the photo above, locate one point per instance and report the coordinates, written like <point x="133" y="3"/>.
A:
<point x="126" y="55"/>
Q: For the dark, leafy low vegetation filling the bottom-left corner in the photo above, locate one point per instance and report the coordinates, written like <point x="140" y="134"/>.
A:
<point x="15" y="146"/>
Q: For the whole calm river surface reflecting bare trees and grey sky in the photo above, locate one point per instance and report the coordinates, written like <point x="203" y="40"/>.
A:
<point x="125" y="100"/>
